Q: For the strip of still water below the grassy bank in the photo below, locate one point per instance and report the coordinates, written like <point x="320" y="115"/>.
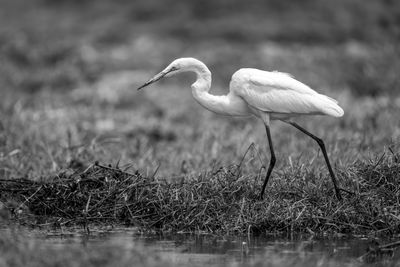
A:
<point x="210" y="250"/>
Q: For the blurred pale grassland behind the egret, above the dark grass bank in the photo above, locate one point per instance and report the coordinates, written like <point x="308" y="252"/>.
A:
<point x="69" y="71"/>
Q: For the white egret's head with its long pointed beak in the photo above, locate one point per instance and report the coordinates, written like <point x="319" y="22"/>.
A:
<point x="176" y="66"/>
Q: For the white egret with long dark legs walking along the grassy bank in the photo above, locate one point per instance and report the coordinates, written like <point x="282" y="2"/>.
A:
<point x="267" y="95"/>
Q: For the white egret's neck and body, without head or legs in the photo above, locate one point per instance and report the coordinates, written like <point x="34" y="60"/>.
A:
<point x="256" y="92"/>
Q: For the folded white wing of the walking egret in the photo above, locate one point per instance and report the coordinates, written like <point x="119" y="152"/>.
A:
<point x="277" y="92"/>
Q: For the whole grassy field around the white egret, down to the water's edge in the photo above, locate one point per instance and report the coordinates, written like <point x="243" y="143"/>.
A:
<point x="68" y="77"/>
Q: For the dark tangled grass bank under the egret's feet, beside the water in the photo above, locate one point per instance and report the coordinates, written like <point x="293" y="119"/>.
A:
<point x="222" y="201"/>
